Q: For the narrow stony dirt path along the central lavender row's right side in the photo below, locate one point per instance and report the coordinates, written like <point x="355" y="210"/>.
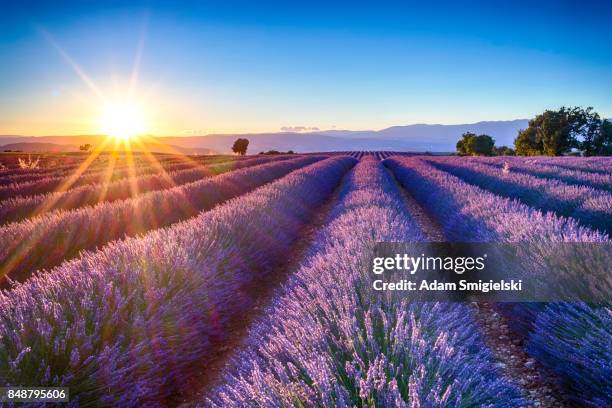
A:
<point x="534" y="381"/>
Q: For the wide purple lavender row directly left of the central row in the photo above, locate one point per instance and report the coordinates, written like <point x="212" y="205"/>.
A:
<point x="137" y="316"/>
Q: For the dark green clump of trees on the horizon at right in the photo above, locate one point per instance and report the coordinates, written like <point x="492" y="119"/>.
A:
<point x="552" y="133"/>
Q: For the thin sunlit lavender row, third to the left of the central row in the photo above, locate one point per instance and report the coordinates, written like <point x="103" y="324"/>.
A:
<point x="18" y="208"/>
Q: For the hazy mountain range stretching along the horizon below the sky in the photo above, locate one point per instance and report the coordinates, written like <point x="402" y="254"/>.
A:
<point x="419" y="137"/>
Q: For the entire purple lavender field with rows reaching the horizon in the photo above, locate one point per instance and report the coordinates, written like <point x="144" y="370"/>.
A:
<point x="236" y="281"/>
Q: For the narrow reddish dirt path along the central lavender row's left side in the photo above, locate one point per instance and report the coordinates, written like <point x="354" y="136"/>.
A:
<point x="261" y="292"/>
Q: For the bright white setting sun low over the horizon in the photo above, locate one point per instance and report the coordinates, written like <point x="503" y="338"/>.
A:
<point x="123" y="120"/>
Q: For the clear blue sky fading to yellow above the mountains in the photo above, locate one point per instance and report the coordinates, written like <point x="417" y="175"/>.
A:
<point x="227" y="66"/>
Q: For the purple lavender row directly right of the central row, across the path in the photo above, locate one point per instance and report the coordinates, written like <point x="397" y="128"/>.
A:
<point x="570" y="339"/>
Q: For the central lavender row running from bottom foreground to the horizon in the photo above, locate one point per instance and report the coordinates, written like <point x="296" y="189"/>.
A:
<point x="328" y="340"/>
